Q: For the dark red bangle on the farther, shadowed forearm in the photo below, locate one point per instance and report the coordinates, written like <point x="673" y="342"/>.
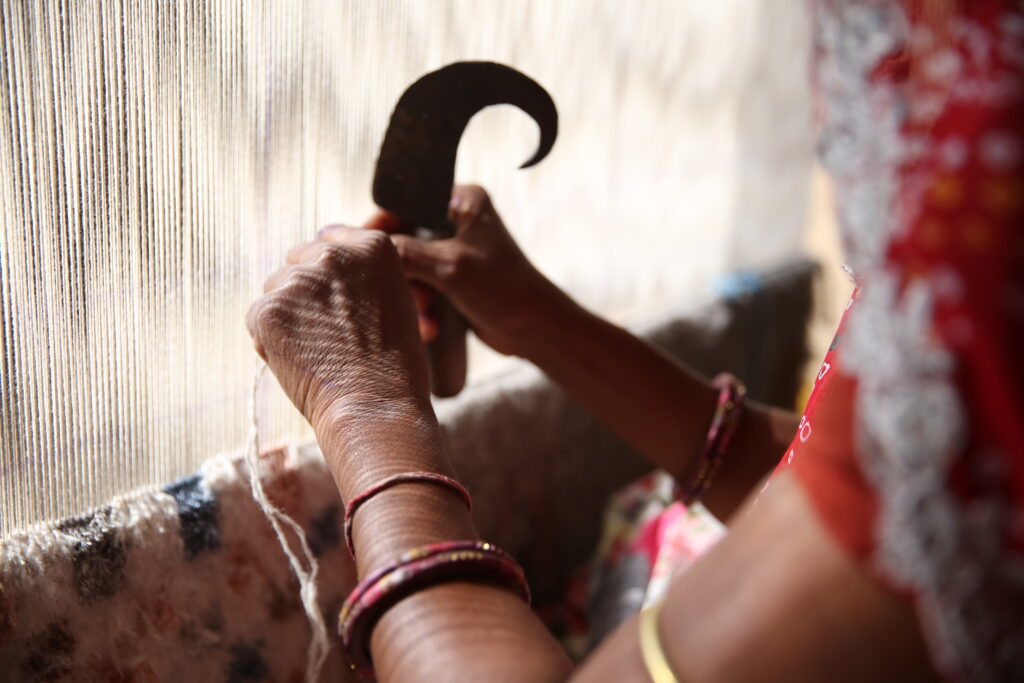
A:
<point x="723" y="425"/>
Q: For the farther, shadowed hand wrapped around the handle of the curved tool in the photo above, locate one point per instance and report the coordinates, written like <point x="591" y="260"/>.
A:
<point x="481" y="270"/>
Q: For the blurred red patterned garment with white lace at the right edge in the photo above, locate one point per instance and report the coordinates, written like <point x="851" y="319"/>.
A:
<point x="912" y="449"/>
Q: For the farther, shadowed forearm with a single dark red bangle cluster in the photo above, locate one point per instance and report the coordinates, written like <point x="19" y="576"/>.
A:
<point x="655" y="404"/>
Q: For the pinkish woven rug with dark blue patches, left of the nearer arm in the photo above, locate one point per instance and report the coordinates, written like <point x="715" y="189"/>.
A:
<point x="182" y="583"/>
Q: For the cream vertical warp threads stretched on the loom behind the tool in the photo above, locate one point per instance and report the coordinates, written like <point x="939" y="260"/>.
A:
<point x="158" y="160"/>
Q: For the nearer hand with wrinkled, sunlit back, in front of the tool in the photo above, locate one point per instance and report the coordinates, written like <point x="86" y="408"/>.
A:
<point x="337" y="326"/>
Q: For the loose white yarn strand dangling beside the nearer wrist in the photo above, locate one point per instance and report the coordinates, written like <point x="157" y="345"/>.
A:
<point x="319" y="643"/>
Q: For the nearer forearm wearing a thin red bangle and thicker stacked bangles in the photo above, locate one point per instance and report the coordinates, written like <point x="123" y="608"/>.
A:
<point x="454" y="631"/>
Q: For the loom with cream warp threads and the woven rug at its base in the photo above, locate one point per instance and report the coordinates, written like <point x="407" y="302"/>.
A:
<point x="157" y="161"/>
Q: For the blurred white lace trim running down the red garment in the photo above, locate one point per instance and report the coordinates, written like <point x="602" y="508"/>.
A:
<point x="912" y="422"/>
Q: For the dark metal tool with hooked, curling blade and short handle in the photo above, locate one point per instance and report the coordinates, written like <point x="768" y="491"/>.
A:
<point x="416" y="170"/>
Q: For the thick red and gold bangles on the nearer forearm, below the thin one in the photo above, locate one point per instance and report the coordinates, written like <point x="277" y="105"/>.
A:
<point x="454" y="561"/>
